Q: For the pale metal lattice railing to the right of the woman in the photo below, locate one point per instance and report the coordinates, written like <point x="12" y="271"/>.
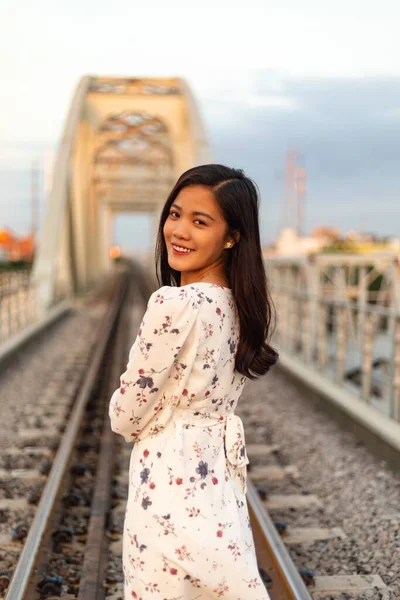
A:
<point x="341" y="316"/>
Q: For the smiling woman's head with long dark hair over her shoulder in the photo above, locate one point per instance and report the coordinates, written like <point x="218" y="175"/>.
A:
<point x="222" y="247"/>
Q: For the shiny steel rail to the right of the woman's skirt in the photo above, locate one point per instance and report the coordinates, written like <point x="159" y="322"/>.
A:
<point x="291" y="587"/>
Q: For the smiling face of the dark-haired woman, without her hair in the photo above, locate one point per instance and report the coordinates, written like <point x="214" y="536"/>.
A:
<point x="195" y="223"/>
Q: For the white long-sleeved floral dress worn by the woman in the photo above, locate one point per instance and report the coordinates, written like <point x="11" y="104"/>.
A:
<point x="187" y="533"/>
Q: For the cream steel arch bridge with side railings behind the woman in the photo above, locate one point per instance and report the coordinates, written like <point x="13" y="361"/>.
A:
<point x="125" y="142"/>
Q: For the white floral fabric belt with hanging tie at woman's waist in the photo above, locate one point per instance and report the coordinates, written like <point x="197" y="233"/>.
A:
<point x="234" y="440"/>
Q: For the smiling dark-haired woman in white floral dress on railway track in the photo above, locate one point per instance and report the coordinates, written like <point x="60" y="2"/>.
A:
<point x="187" y="533"/>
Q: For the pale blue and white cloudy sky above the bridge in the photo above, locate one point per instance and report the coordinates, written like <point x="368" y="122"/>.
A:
<point x="322" y="78"/>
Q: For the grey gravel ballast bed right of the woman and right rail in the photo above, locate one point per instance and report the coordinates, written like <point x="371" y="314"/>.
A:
<point x="360" y="494"/>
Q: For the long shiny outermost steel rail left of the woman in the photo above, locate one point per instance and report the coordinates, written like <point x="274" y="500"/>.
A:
<point x="24" y="570"/>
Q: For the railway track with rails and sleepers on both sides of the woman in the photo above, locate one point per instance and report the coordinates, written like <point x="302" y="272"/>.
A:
<point x="73" y="545"/>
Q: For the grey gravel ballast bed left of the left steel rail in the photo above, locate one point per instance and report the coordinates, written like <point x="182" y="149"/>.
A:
<point x="46" y="371"/>
